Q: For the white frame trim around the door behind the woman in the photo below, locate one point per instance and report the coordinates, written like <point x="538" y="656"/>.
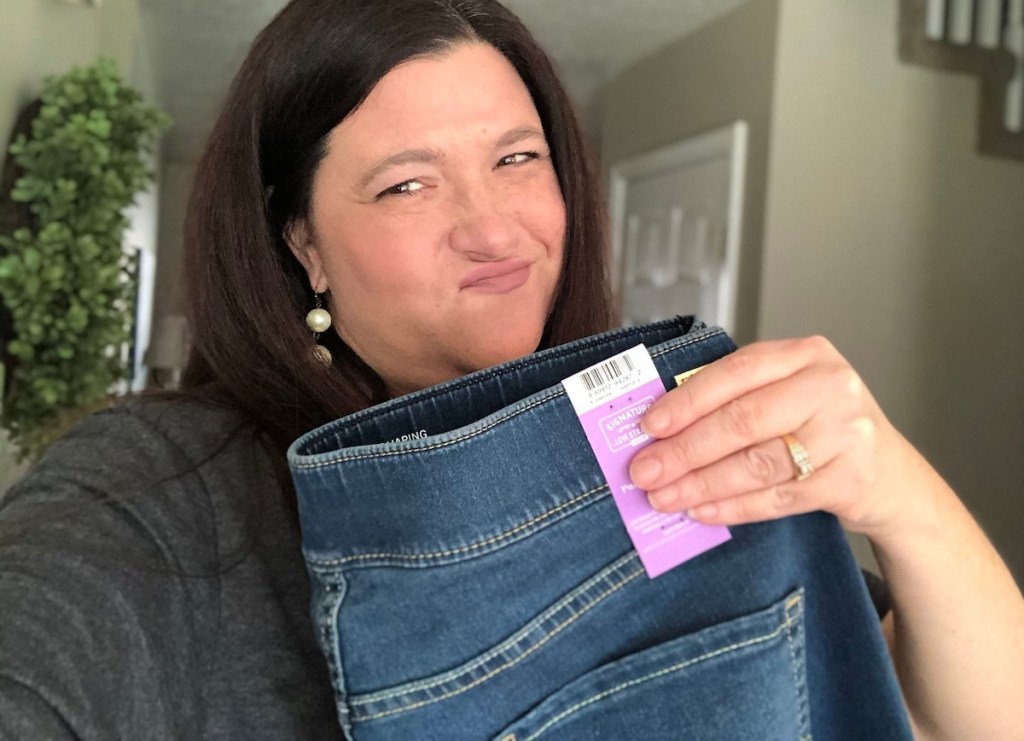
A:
<point x="730" y="141"/>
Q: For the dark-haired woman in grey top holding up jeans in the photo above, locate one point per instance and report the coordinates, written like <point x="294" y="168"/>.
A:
<point x="414" y="167"/>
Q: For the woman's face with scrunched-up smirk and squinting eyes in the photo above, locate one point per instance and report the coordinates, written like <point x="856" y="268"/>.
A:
<point x="438" y="224"/>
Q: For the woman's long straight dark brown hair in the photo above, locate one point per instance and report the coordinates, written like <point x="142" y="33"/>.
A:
<point x="309" y="70"/>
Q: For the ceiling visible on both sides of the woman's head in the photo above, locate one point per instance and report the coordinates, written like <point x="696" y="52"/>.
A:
<point x="197" y="46"/>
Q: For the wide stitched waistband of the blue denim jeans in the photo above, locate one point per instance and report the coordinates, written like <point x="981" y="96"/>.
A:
<point x="471" y="466"/>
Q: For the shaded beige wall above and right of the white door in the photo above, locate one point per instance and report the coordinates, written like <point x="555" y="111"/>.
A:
<point x="721" y="73"/>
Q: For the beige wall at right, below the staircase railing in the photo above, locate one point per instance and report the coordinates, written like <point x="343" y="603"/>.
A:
<point x="888" y="234"/>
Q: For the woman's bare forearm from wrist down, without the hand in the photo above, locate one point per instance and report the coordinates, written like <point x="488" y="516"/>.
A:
<point x="957" y="631"/>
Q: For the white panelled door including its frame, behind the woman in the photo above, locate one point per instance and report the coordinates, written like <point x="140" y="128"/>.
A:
<point x="676" y="228"/>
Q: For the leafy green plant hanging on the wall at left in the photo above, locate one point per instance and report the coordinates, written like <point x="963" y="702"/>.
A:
<point x="65" y="277"/>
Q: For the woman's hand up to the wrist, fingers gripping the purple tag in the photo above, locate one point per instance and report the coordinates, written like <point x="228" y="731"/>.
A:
<point x="720" y="452"/>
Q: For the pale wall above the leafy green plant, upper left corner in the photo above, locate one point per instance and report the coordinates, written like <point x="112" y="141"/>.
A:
<point x="40" y="38"/>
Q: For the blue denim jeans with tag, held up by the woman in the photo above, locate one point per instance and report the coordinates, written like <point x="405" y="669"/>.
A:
<point x="473" y="580"/>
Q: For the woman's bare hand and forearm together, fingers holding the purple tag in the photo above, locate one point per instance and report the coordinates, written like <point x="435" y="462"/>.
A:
<point x="957" y="630"/>
